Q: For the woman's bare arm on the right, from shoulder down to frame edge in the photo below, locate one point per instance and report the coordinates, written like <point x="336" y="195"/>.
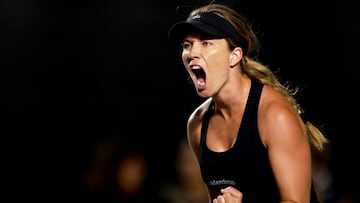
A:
<point x="284" y="135"/>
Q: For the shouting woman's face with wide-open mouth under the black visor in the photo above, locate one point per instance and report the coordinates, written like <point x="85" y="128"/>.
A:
<point x="207" y="62"/>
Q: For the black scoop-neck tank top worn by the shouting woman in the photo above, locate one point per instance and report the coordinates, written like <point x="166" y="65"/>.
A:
<point x="245" y="166"/>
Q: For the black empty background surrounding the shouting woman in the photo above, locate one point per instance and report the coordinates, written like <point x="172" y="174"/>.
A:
<point x="75" y="73"/>
